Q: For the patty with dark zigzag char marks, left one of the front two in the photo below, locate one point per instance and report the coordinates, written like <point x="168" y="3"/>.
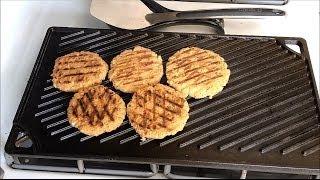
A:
<point x="96" y="110"/>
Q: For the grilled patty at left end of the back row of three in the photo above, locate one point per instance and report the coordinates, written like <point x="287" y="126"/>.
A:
<point x="78" y="70"/>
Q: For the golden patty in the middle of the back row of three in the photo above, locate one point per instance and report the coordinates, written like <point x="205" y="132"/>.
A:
<point x="134" y="69"/>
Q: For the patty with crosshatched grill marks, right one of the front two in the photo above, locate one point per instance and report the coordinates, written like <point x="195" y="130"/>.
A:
<point x="157" y="111"/>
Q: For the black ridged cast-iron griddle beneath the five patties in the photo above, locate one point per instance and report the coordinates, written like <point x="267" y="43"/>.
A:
<point x="266" y="118"/>
